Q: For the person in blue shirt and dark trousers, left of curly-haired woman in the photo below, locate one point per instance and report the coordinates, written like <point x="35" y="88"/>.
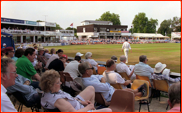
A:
<point x="22" y="85"/>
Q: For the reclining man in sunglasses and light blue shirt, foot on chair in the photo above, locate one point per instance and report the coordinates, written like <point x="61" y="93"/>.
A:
<point x="100" y="84"/>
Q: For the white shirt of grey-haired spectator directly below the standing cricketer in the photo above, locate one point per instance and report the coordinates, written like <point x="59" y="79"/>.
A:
<point x="122" y="67"/>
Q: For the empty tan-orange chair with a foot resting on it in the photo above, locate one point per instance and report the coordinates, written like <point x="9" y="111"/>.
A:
<point x="135" y="85"/>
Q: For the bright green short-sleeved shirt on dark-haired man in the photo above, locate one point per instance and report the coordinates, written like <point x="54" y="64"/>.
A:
<point x="25" y="67"/>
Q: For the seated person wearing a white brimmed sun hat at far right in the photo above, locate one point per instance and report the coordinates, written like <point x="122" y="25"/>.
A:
<point x="160" y="73"/>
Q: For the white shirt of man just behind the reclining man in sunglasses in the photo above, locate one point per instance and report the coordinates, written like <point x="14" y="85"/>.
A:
<point x="114" y="78"/>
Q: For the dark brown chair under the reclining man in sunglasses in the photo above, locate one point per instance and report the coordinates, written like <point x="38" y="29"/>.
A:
<point x="99" y="98"/>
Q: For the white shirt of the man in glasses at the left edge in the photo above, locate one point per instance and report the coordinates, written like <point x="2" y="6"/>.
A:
<point x="6" y="104"/>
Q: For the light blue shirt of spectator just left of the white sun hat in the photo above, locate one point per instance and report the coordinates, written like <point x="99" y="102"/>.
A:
<point x="143" y="69"/>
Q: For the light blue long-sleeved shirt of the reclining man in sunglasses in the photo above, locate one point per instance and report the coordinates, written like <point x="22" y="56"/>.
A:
<point x="105" y="88"/>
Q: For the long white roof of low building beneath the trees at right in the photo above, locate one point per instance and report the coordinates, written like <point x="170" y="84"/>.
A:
<point x="148" y="35"/>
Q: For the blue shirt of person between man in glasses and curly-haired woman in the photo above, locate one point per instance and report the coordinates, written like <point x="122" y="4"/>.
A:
<point x="19" y="86"/>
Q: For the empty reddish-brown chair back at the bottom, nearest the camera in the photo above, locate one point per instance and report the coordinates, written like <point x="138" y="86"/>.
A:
<point x="122" y="101"/>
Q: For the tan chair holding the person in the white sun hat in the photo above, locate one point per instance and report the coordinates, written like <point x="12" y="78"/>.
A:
<point x="161" y="85"/>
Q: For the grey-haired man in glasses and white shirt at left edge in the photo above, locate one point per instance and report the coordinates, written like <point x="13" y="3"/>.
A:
<point x="8" y="75"/>
